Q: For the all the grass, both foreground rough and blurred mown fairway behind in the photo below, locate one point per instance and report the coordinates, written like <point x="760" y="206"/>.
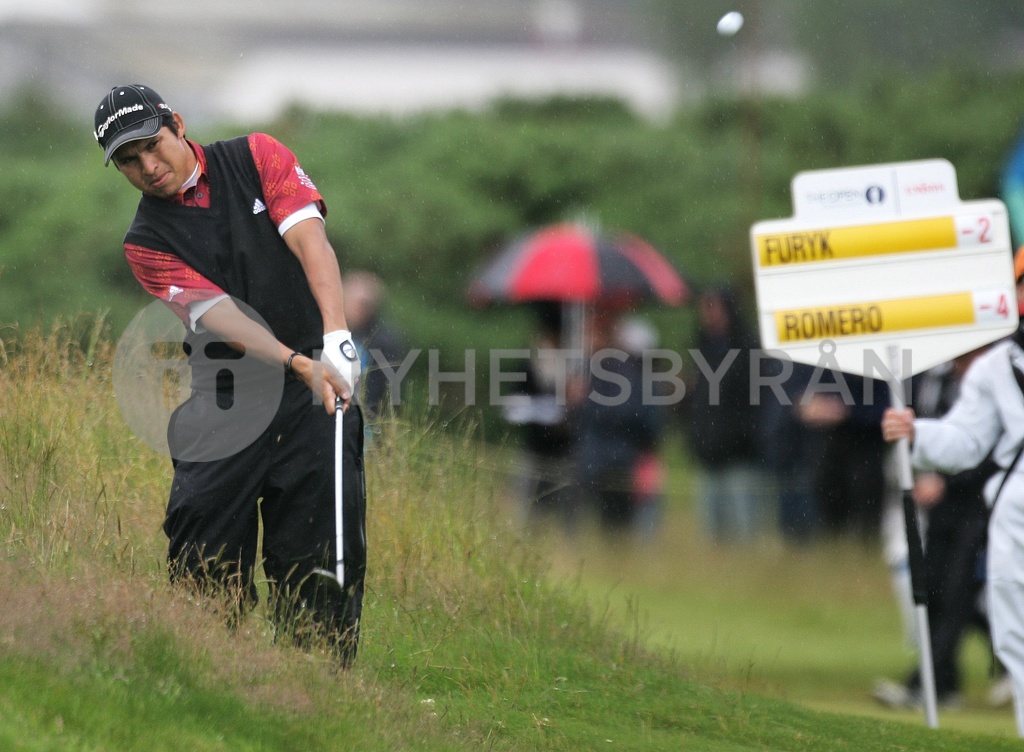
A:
<point x="475" y="638"/>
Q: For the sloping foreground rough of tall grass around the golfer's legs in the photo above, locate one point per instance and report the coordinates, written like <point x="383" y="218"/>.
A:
<point x="467" y="644"/>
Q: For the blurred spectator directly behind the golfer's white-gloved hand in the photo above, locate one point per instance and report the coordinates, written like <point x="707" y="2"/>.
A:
<point x="376" y="340"/>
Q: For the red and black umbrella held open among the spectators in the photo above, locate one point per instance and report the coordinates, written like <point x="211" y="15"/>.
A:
<point x="573" y="264"/>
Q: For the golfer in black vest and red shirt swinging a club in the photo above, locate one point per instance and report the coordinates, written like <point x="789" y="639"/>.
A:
<point x="231" y="237"/>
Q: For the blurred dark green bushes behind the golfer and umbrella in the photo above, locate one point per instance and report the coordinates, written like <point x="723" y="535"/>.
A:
<point x="424" y="200"/>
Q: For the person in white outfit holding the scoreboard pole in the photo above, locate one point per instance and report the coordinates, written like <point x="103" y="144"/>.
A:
<point x="988" y="419"/>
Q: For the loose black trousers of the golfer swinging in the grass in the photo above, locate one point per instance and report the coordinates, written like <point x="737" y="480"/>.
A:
<point x="215" y="511"/>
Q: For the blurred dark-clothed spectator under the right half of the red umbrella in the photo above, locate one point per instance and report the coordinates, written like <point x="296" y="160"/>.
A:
<point x="616" y="432"/>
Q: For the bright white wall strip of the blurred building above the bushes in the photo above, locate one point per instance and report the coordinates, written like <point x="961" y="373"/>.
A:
<point x="402" y="79"/>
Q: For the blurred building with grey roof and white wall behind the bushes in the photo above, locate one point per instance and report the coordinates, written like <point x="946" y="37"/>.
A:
<point x="247" y="60"/>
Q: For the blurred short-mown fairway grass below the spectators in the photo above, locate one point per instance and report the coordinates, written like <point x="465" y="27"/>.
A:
<point x="817" y="625"/>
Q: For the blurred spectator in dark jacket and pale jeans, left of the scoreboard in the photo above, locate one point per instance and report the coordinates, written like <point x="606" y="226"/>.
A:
<point x="721" y="422"/>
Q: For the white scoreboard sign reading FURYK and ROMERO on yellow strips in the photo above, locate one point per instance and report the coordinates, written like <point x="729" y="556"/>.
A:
<point x="880" y="257"/>
